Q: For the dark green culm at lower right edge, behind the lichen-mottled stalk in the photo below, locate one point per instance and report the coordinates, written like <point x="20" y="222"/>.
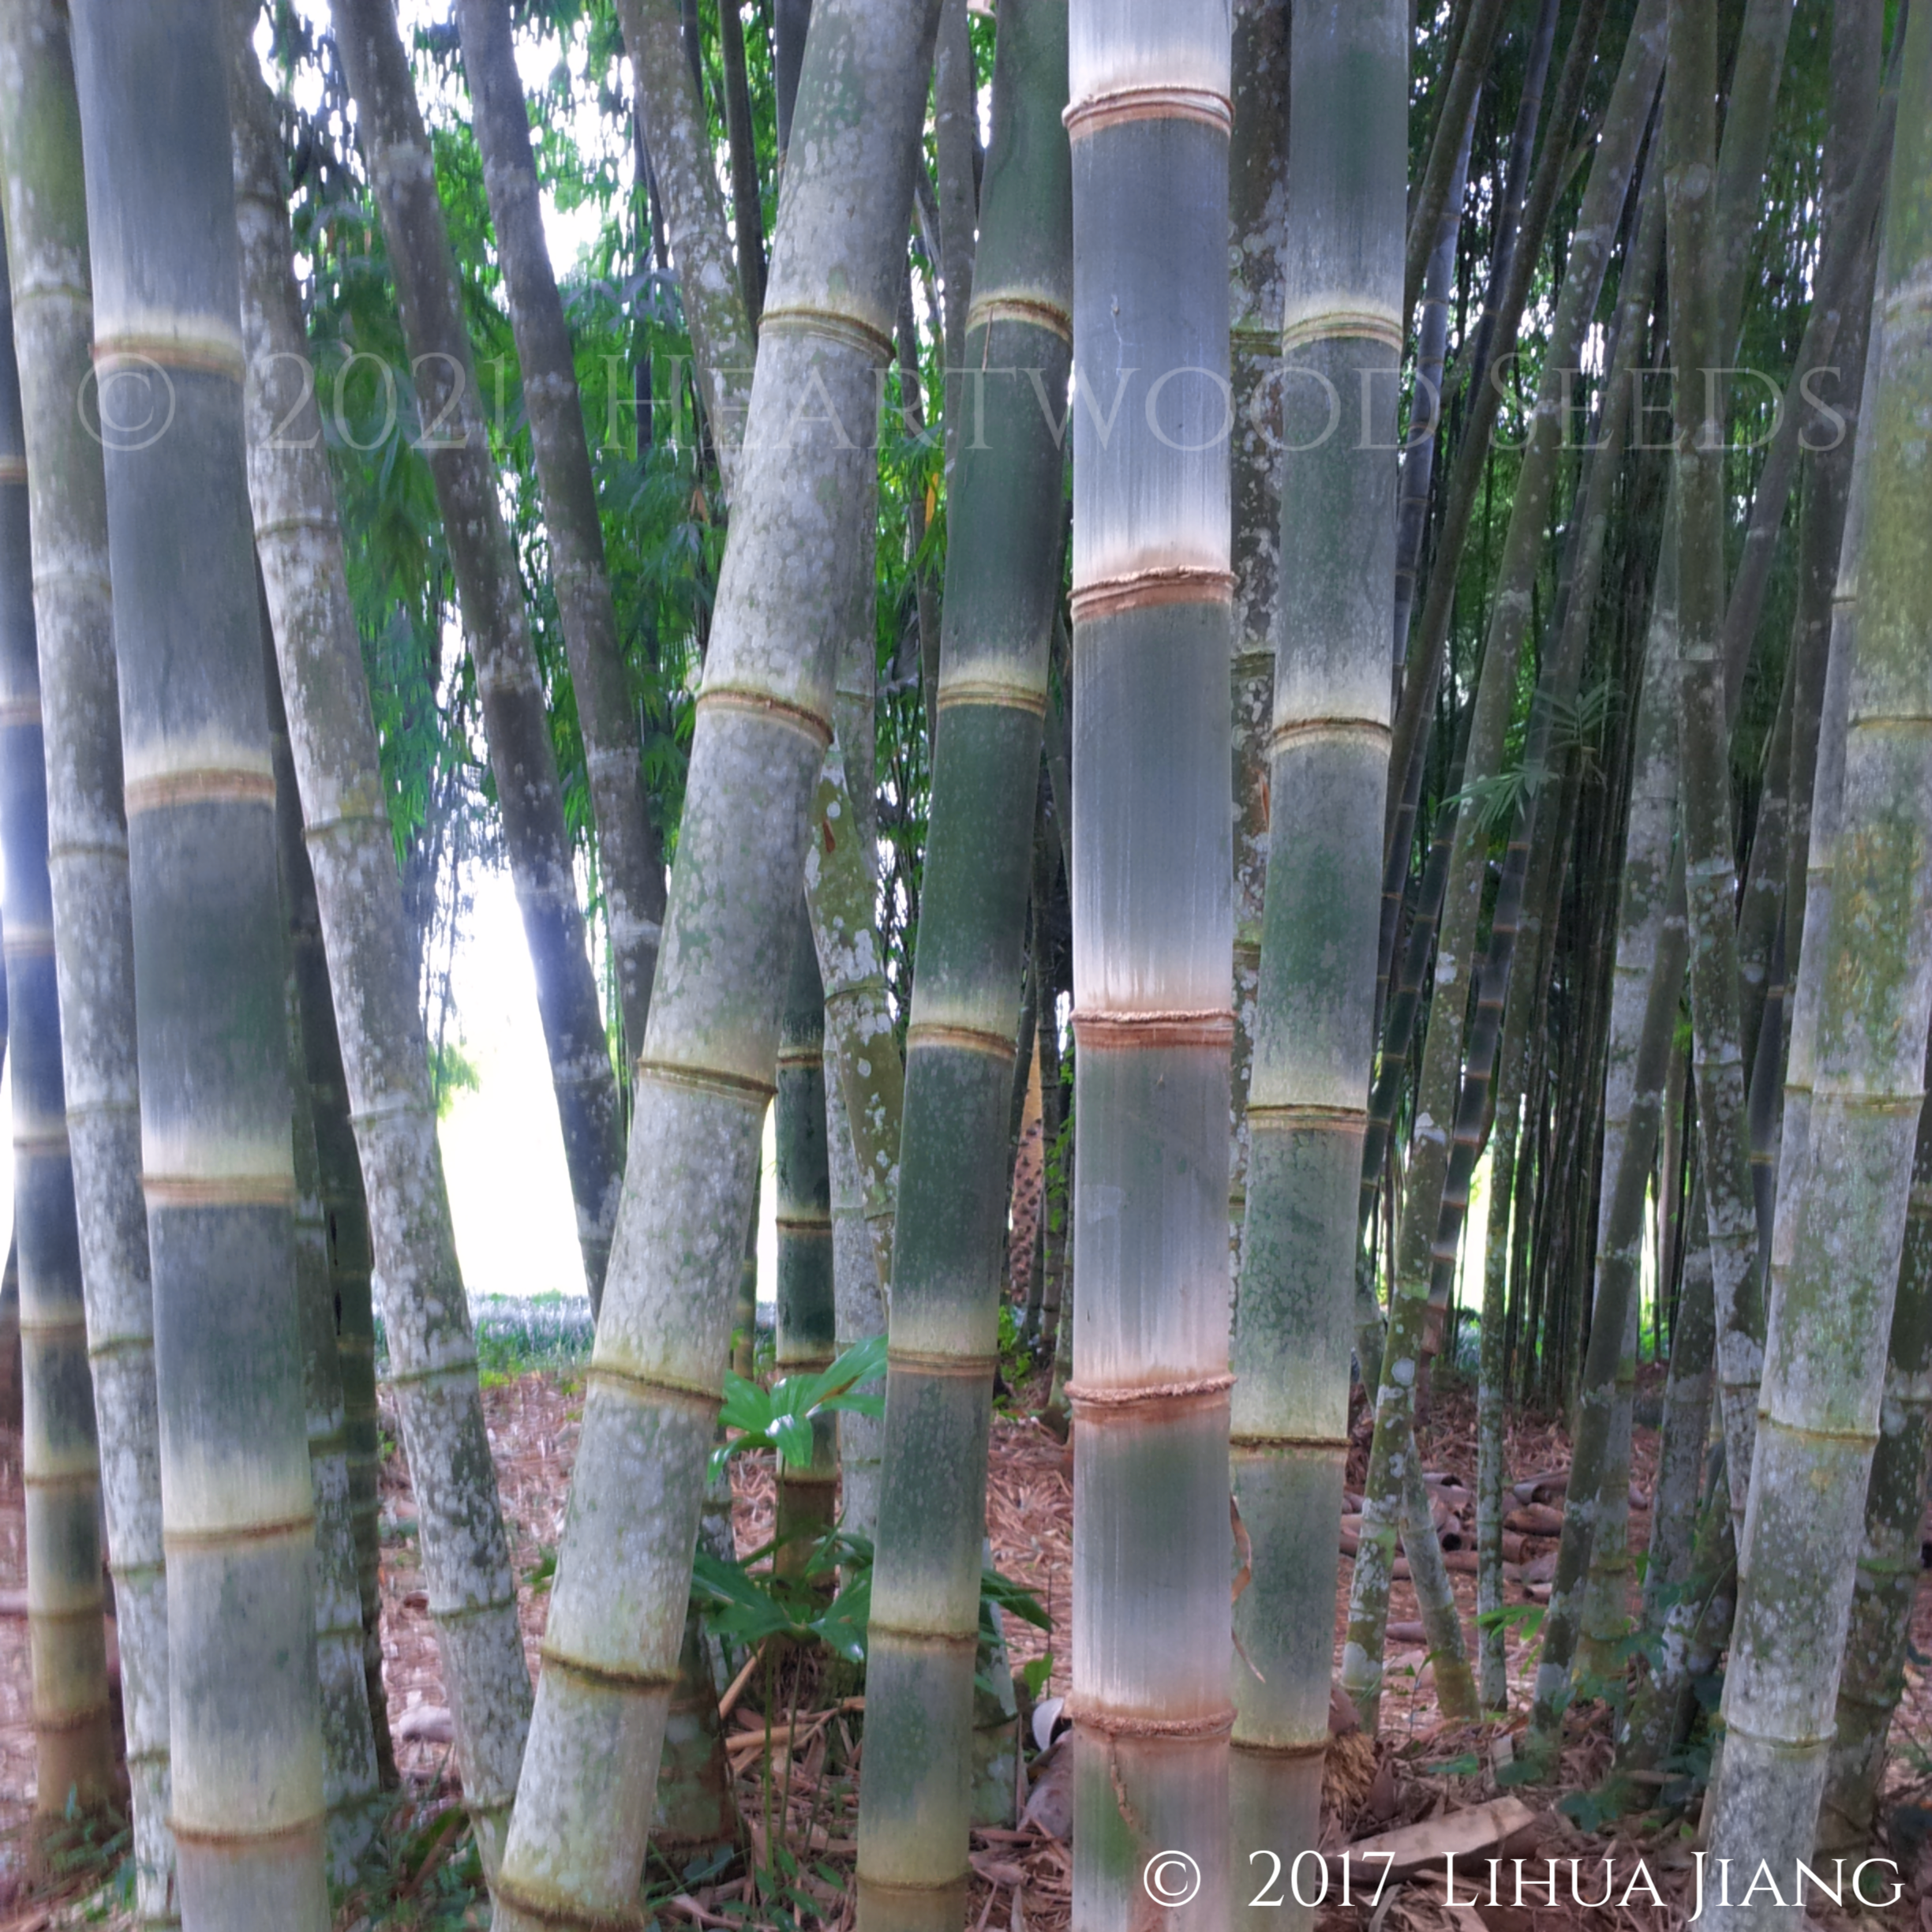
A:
<point x="1877" y="1643"/>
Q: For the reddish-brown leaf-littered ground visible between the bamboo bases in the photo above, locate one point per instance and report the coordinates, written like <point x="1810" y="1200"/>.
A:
<point x="1417" y="1771"/>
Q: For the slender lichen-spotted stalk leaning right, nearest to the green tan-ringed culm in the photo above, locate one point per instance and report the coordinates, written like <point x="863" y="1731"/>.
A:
<point x="1436" y="1094"/>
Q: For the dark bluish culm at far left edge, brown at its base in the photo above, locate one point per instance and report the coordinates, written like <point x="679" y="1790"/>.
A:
<point x="61" y="1456"/>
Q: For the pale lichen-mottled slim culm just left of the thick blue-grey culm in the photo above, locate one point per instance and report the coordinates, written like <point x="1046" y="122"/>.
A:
<point x="88" y="865"/>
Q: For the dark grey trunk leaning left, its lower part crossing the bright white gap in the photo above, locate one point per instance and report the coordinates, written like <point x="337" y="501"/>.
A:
<point x="496" y="623"/>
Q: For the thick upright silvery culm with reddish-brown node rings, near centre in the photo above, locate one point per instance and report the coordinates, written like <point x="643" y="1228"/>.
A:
<point x="1152" y="952"/>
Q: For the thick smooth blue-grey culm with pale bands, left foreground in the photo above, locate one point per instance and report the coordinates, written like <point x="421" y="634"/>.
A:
<point x="210" y="979"/>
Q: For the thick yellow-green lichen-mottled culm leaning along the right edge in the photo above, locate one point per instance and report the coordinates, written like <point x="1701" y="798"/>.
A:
<point x="1833" y="1303"/>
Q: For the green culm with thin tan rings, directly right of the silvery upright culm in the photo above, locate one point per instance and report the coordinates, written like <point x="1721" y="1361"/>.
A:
<point x="1315" y="1015"/>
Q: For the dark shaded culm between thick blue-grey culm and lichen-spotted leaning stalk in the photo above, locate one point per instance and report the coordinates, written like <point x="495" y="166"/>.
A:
<point x="349" y="1740"/>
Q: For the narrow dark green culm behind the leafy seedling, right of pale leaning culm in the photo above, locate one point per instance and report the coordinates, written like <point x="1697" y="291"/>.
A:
<point x="807" y="1328"/>
